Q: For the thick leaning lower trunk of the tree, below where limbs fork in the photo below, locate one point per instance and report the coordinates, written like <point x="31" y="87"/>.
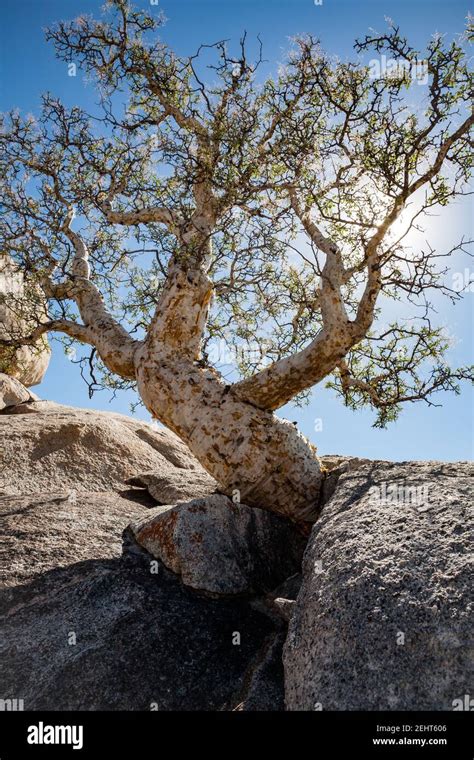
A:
<point x="254" y="456"/>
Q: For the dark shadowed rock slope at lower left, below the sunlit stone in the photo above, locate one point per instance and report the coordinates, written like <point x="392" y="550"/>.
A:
<point x="106" y="634"/>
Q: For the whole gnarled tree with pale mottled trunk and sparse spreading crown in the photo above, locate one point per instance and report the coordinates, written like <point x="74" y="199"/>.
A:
<point x="219" y="205"/>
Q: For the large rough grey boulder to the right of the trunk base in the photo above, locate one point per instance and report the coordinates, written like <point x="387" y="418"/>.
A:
<point x="383" y="620"/>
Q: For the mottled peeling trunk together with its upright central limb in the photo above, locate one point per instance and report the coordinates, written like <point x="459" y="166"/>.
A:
<point x="254" y="456"/>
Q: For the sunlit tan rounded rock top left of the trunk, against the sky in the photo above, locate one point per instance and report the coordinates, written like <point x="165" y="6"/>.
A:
<point x="61" y="448"/>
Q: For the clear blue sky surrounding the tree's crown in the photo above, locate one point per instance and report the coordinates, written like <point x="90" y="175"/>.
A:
<point x="28" y="68"/>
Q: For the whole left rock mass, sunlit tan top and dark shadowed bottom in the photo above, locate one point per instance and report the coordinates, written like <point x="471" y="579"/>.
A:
<point x="85" y="625"/>
